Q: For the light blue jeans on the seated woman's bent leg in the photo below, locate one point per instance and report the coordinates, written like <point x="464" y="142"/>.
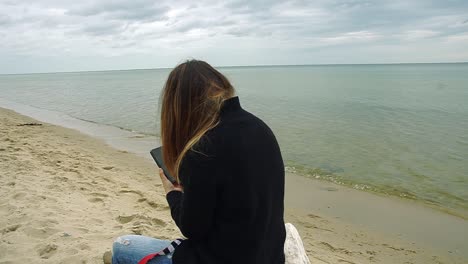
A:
<point x="132" y="248"/>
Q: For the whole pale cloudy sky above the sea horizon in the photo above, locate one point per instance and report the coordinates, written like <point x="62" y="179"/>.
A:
<point x="71" y="35"/>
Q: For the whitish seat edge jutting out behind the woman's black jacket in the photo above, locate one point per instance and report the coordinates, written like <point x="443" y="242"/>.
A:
<point x="293" y="247"/>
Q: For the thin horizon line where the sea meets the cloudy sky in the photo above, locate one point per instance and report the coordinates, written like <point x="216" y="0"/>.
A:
<point x="243" y="66"/>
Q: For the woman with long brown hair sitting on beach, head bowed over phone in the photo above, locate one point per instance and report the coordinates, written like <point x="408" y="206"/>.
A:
<point x="229" y="204"/>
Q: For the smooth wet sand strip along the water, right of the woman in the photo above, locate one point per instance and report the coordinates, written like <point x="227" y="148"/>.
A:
<point x="392" y="216"/>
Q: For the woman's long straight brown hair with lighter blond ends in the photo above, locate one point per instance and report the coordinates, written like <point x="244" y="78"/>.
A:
<point x="191" y="103"/>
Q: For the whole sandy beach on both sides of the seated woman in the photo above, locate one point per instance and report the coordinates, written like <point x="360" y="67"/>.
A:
<point x="65" y="196"/>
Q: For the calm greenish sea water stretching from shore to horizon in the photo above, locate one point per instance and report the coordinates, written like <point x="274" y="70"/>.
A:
<point x="398" y="129"/>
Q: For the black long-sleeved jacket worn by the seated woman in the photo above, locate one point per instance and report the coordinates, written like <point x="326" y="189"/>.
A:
<point x="232" y="207"/>
